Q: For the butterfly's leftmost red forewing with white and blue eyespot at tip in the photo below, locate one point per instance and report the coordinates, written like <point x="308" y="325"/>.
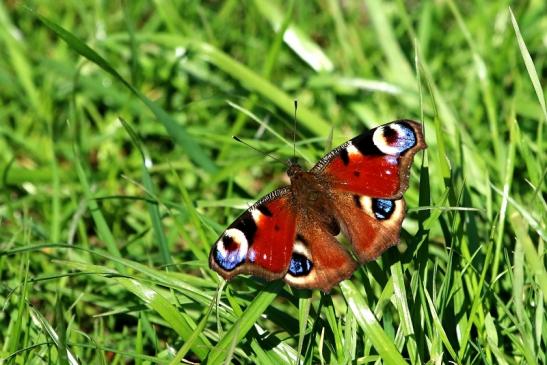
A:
<point x="260" y="241"/>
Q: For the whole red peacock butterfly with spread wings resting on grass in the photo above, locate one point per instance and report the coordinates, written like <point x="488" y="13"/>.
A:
<point x="356" y="189"/>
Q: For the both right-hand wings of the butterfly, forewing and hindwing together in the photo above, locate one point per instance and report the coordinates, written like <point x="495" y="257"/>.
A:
<point x="367" y="176"/>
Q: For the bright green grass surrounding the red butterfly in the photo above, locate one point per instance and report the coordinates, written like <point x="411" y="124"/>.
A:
<point x="118" y="172"/>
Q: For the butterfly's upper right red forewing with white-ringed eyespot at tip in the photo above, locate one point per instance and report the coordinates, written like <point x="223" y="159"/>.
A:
<point x="375" y="163"/>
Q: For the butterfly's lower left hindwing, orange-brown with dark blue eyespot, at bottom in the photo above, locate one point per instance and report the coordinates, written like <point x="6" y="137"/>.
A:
<point x="318" y="260"/>
